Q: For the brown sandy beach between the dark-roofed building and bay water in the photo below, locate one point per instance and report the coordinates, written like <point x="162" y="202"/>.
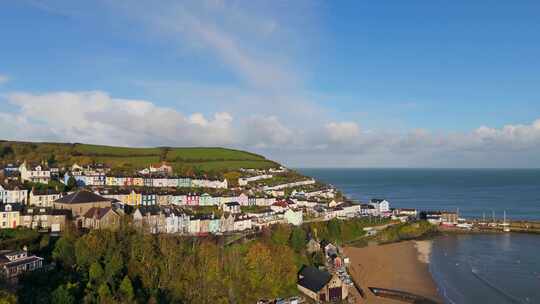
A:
<point x="402" y="266"/>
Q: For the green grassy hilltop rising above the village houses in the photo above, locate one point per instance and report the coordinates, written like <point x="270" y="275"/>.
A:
<point x="183" y="160"/>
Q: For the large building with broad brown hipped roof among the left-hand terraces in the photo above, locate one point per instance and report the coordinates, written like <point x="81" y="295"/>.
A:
<point x="81" y="201"/>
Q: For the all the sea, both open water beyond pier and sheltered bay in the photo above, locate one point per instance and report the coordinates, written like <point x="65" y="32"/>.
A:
<point x="479" y="268"/>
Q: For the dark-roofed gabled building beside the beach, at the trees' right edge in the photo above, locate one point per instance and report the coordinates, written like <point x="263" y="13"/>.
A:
<point x="321" y="285"/>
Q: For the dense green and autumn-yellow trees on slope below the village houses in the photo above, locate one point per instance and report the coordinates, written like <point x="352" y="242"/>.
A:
<point x="127" y="266"/>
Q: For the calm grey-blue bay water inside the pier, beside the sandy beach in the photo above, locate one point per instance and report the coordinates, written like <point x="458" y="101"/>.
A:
<point x="502" y="268"/>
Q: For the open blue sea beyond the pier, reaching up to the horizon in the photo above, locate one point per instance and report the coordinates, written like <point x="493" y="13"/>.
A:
<point x="475" y="192"/>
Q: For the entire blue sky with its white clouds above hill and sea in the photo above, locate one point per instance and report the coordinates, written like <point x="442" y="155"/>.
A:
<point x="308" y="83"/>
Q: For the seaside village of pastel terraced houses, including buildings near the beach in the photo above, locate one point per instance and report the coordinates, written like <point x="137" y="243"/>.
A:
<point x="157" y="201"/>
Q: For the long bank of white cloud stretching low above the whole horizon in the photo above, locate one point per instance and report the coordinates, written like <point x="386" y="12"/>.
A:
<point x="96" y="117"/>
